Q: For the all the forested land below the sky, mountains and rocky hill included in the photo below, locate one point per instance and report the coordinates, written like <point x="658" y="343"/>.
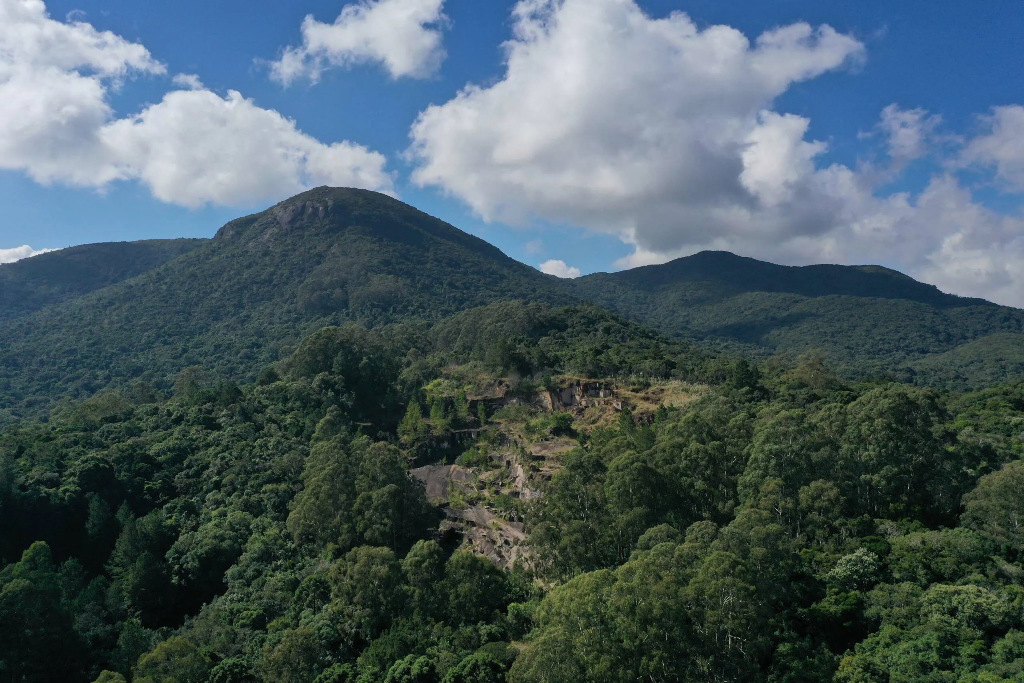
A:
<point x="334" y="445"/>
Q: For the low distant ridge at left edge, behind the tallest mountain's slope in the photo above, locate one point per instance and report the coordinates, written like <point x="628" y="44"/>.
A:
<point x="32" y="284"/>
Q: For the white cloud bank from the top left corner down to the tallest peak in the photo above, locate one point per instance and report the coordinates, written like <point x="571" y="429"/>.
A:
<point x="192" y="148"/>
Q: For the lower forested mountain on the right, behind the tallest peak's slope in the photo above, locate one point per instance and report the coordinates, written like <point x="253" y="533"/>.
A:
<point x="867" y="320"/>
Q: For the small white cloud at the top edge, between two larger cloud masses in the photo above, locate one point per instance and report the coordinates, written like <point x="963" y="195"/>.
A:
<point x="403" y="35"/>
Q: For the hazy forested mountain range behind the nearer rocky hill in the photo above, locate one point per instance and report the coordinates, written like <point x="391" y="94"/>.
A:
<point x="81" y="320"/>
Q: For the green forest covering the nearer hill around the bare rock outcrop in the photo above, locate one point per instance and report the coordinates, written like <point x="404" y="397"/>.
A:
<point x="777" y="524"/>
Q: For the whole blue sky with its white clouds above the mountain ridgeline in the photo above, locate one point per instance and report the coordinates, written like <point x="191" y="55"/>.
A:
<point x="791" y="159"/>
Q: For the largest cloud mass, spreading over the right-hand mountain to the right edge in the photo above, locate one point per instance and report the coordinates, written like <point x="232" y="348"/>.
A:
<point x="665" y="135"/>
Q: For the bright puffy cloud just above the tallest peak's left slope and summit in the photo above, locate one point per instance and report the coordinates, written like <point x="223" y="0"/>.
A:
<point x="196" y="148"/>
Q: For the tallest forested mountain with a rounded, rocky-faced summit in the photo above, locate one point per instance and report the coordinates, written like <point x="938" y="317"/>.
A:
<point x="236" y="303"/>
